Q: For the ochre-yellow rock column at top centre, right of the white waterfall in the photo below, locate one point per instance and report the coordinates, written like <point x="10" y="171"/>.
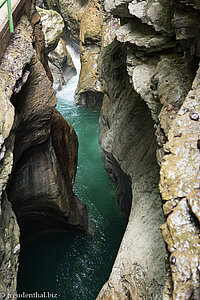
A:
<point x="92" y="29"/>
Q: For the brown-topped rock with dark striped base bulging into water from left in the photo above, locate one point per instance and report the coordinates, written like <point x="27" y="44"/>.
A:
<point x="53" y="204"/>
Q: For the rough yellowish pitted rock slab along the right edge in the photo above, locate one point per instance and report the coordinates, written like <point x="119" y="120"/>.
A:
<point x="179" y="185"/>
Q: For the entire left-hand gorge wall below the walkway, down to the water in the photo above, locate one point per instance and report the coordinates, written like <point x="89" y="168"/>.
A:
<point x="32" y="175"/>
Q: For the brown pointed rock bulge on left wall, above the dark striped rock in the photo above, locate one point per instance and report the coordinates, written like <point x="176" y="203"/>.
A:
<point x="33" y="117"/>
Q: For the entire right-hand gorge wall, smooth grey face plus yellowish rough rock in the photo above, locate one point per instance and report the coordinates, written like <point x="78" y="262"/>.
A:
<point x="150" y="78"/>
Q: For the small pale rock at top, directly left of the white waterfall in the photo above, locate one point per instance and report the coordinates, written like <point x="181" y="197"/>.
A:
<point x="61" y="65"/>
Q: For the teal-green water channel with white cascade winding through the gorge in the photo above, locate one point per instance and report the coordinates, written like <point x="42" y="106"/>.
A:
<point x="74" y="265"/>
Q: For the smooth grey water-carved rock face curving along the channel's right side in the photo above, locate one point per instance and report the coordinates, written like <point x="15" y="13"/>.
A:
<point x="127" y="131"/>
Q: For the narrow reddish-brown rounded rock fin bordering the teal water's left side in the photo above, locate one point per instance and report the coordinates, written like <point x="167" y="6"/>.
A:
<point x="65" y="143"/>
